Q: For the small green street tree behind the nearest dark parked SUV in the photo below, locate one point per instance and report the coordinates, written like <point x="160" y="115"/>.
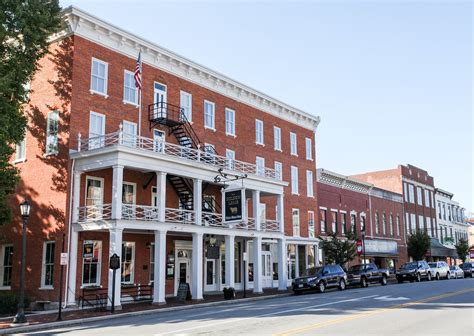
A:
<point x="339" y="250"/>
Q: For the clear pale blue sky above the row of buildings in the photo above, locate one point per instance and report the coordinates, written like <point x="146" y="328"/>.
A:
<point x="391" y="80"/>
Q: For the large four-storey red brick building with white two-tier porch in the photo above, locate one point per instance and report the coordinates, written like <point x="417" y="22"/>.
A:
<point x="147" y="184"/>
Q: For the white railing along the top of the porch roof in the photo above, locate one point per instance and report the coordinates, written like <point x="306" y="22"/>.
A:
<point x="160" y="147"/>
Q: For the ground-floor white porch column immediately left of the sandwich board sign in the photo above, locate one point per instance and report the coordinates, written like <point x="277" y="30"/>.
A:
<point x="159" y="268"/>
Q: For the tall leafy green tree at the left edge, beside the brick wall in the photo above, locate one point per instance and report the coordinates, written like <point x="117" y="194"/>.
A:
<point x="25" y="28"/>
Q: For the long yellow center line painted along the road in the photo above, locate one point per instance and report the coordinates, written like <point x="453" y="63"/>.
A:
<point x="367" y="314"/>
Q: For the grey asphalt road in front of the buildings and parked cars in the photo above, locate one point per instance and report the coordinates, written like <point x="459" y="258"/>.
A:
<point x="444" y="307"/>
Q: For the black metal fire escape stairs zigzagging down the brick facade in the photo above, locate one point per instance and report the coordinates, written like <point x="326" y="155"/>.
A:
<point x="174" y="118"/>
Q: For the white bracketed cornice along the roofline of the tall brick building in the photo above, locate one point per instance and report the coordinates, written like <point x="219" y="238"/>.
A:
<point x="94" y="29"/>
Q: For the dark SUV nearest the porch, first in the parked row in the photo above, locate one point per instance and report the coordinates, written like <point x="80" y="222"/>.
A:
<point x="320" y="278"/>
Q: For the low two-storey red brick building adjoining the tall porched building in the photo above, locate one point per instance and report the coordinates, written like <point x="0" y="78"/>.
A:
<point x="346" y="204"/>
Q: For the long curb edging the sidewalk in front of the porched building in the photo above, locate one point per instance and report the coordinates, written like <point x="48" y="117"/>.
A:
<point x="81" y="321"/>
